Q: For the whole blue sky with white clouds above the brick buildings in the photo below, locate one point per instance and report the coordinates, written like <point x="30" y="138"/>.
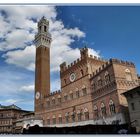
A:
<point x="109" y="32"/>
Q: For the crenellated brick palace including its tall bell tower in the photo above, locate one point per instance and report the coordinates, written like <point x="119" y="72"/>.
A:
<point x="91" y="88"/>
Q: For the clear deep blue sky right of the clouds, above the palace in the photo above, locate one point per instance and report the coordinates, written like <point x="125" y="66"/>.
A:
<point x="113" y="30"/>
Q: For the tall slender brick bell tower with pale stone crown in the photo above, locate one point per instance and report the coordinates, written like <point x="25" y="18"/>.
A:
<point x="42" y="65"/>
